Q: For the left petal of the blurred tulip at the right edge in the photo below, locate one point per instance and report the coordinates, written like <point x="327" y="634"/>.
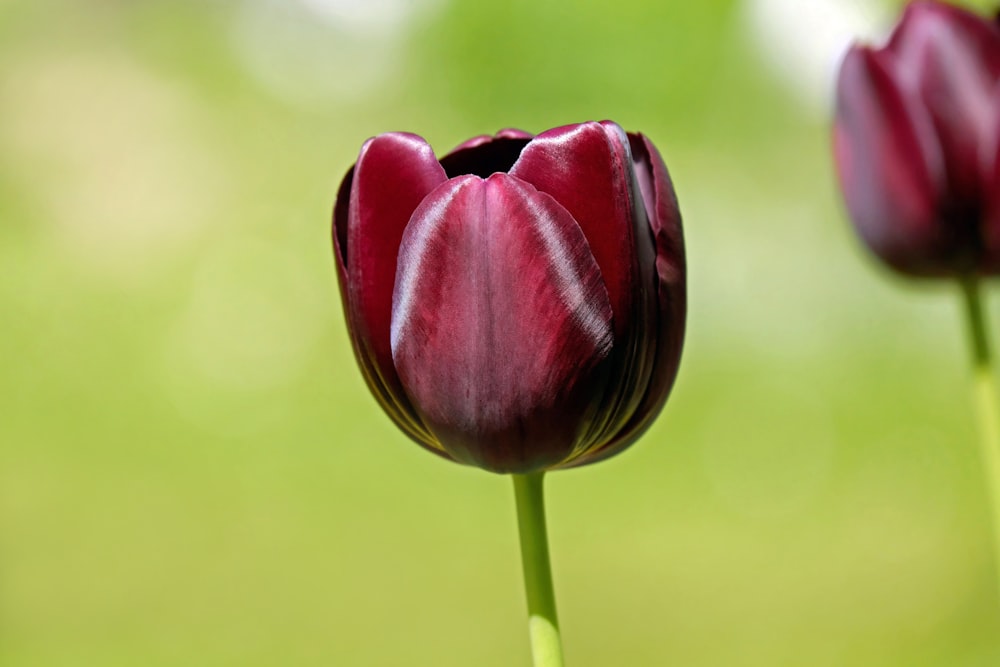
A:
<point x="890" y="167"/>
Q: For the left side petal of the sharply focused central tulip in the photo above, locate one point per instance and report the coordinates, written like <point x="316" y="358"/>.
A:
<point x="393" y="174"/>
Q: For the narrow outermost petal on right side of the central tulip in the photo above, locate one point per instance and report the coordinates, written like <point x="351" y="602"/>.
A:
<point x="660" y="201"/>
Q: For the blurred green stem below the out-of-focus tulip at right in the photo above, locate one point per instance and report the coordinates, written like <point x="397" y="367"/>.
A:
<point x="986" y="400"/>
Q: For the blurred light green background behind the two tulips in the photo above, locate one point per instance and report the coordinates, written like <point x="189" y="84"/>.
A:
<point x="193" y="473"/>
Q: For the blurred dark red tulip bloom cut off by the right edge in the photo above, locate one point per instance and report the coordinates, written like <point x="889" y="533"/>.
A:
<point x="916" y="142"/>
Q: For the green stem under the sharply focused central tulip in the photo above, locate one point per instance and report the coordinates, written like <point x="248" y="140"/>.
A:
<point x="543" y="626"/>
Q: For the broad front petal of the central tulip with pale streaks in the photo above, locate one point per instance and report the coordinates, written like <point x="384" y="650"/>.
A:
<point x="500" y="324"/>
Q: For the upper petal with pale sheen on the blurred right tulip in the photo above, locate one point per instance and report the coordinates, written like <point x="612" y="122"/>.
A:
<point x="952" y="57"/>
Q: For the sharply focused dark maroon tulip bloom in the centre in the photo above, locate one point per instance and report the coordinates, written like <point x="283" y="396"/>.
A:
<point x="519" y="304"/>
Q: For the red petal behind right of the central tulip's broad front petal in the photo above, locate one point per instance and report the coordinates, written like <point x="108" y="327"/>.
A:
<point x="580" y="167"/>
